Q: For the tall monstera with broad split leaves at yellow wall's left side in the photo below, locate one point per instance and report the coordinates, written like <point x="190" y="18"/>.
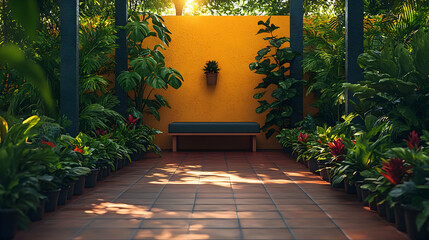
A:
<point x="148" y="71"/>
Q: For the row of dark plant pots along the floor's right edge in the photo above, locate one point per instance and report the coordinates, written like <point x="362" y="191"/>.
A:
<point x="403" y="216"/>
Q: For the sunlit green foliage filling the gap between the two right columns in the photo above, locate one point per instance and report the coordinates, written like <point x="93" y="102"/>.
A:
<point x="324" y="60"/>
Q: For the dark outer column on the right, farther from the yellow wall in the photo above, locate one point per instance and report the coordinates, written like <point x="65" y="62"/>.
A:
<point x="354" y="46"/>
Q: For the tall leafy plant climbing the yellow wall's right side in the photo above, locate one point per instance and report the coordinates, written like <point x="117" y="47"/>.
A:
<point x="273" y="62"/>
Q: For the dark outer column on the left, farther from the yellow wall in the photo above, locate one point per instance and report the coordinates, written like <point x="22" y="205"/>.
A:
<point x="69" y="72"/>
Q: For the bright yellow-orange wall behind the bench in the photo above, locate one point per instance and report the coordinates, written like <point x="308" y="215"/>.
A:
<point x="232" y="41"/>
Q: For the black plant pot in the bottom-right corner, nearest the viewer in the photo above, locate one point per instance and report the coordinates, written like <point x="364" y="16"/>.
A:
<point x="410" y="223"/>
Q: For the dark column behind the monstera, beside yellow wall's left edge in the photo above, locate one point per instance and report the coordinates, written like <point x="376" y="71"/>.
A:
<point x="121" y="54"/>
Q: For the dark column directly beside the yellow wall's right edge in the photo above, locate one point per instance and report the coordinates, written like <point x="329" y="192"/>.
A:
<point x="296" y="43"/>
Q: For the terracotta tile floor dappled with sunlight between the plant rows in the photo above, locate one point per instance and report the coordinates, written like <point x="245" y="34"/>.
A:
<point x="213" y="195"/>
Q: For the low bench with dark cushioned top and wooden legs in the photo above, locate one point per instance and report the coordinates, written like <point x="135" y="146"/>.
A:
<point x="177" y="129"/>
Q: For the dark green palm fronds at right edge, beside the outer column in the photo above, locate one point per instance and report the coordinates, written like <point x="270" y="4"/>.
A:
<point x="396" y="84"/>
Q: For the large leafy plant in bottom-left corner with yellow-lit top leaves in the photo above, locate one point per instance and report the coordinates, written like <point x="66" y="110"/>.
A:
<point x="21" y="168"/>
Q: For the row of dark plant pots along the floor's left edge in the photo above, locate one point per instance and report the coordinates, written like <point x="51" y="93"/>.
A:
<point x="57" y="197"/>
